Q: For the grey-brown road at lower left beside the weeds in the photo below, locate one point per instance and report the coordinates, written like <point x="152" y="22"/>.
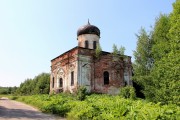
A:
<point x="13" y="110"/>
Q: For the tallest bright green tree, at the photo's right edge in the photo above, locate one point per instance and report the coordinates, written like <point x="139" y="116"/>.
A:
<point x="166" y="72"/>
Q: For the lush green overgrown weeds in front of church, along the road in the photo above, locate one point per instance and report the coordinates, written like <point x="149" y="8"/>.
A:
<point x="101" y="107"/>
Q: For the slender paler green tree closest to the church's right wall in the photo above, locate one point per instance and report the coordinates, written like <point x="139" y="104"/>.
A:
<point x="143" y="58"/>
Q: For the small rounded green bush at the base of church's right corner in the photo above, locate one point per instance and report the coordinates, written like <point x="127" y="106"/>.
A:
<point x="128" y="92"/>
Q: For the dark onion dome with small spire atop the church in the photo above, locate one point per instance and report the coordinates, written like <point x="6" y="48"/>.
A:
<point x="88" y="29"/>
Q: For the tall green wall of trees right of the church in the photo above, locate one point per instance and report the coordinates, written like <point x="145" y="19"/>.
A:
<point x="157" y="59"/>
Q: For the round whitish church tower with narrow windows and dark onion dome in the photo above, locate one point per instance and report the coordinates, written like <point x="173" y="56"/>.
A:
<point x="88" y="36"/>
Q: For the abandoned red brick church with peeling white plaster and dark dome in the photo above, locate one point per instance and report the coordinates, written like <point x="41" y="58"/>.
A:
<point x="79" y="66"/>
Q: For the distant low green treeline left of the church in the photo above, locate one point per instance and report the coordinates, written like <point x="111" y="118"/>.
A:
<point x="37" y="85"/>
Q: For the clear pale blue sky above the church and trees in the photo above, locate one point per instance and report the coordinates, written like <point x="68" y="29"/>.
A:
<point x="33" y="32"/>
